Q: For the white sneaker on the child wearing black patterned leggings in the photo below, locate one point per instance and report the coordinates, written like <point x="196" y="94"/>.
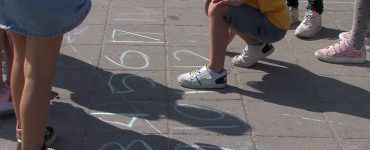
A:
<point x="310" y="26"/>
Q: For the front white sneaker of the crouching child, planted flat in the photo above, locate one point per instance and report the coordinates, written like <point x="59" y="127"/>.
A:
<point x="203" y="78"/>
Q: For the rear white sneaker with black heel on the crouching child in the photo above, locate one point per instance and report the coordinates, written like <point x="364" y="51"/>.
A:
<point x="251" y="55"/>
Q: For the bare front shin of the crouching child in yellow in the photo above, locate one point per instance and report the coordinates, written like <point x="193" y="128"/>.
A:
<point x="219" y="36"/>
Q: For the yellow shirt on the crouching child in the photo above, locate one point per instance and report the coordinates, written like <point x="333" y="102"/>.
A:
<point x="275" y="10"/>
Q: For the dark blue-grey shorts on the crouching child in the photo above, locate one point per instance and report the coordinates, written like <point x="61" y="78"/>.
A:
<point x="253" y="23"/>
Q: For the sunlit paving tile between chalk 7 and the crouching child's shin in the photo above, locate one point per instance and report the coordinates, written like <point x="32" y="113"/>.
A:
<point x="187" y="36"/>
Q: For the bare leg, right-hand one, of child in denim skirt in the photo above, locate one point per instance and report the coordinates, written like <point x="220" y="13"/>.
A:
<point x="40" y="59"/>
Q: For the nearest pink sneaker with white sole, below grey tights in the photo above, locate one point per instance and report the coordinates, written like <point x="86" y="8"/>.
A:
<point x="341" y="52"/>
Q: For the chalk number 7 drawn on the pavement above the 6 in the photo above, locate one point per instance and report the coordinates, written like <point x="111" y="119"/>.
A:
<point x="144" y="39"/>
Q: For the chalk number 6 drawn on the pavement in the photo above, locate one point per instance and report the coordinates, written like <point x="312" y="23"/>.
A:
<point x="122" y="60"/>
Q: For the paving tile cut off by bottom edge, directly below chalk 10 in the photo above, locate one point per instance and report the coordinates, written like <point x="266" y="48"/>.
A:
<point x="212" y="142"/>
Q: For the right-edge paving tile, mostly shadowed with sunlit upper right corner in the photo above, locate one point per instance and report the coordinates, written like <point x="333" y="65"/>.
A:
<point x="341" y="89"/>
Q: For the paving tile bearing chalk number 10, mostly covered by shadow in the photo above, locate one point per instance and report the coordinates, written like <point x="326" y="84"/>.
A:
<point x="206" y="117"/>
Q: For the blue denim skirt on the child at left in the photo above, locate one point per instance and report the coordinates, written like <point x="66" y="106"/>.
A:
<point x="42" y="18"/>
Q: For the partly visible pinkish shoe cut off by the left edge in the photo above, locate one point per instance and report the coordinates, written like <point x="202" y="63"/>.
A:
<point x="6" y="106"/>
